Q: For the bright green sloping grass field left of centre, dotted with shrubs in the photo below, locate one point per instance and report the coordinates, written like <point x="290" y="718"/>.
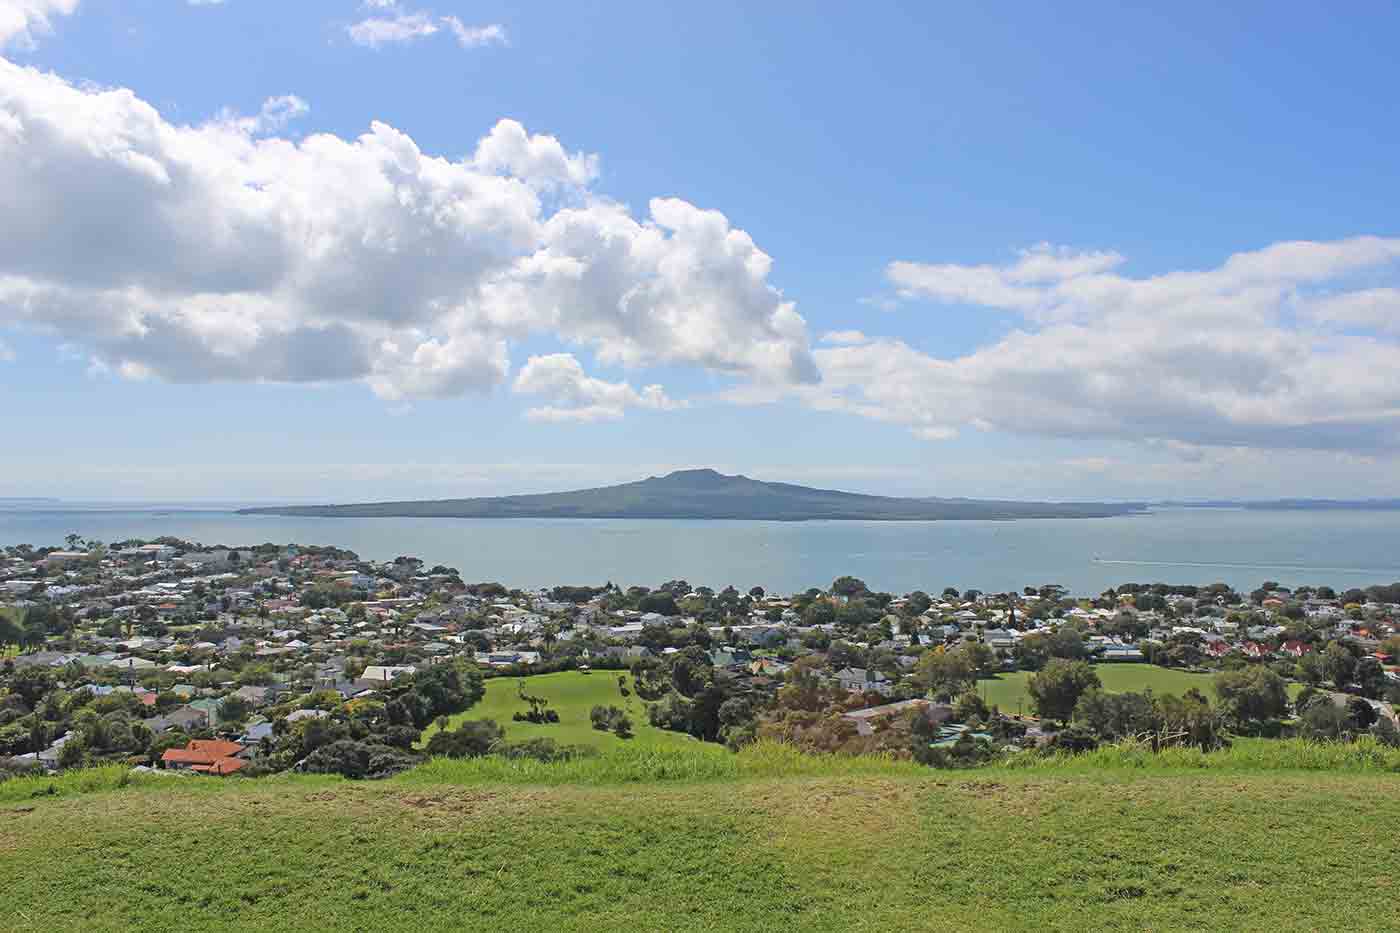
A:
<point x="572" y="696"/>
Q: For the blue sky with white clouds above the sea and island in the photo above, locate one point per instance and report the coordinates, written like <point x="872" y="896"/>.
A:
<point x="344" y="250"/>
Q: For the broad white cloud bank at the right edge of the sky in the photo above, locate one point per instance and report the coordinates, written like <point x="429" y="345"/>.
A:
<point x="1241" y="355"/>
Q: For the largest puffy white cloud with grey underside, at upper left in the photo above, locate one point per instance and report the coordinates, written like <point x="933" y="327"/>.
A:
<point x="226" y="251"/>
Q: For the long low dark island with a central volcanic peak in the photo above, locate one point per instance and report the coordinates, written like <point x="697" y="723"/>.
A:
<point x="705" y="494"/>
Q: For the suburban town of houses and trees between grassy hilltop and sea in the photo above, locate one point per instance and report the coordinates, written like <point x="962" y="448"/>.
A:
<point x="213" y="661"/>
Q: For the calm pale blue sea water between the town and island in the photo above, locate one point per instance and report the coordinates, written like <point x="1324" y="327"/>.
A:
<point x="1087" y="555"/>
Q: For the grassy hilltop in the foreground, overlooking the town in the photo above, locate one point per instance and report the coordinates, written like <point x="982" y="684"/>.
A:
<point x="779" y="843"/>
